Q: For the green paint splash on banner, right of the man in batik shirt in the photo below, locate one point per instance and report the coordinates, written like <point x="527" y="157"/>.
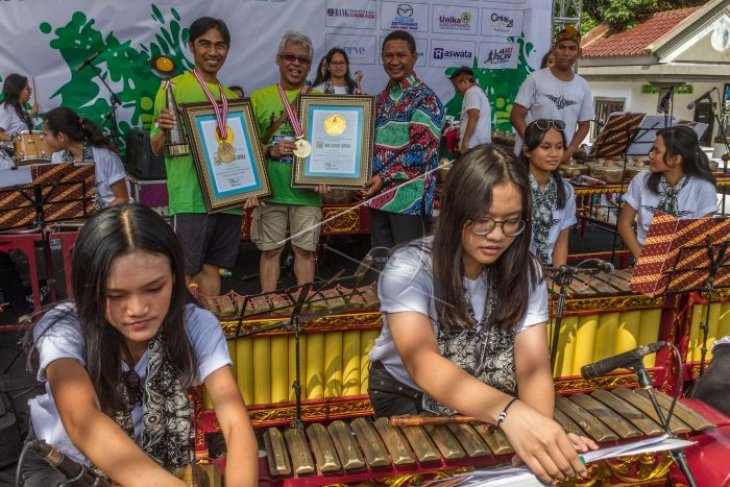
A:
<point x="501" y="85"/>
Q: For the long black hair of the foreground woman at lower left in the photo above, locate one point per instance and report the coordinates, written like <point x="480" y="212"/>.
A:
<point x="114" y="232"/>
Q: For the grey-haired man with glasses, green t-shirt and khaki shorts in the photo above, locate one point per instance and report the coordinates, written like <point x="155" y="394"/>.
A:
<point x="298" y="209"/>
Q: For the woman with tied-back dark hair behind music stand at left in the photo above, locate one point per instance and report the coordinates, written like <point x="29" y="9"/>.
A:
<point x="75" y="139"/>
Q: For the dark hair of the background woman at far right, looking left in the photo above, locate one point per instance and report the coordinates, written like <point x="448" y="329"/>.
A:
<point x="682" y="141"/>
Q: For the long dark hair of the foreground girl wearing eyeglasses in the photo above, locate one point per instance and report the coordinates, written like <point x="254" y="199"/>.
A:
<point x="466" y="197"/>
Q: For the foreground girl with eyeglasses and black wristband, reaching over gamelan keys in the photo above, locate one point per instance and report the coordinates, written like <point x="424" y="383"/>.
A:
<point x="465" y="315"/>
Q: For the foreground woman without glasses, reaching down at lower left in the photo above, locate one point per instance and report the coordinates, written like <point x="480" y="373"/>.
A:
<point x="119" y="360"/>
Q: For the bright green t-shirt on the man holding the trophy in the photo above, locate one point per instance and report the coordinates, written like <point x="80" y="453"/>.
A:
<point x="183" y="186"/>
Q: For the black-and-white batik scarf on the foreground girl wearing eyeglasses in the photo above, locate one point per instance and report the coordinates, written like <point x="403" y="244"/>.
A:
<point x="484" y="351"/>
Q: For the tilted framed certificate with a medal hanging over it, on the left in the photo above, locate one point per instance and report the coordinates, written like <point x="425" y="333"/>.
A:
<point x="231" y="169"/>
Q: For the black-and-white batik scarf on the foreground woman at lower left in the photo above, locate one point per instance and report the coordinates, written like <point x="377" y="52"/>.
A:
<point x="168" y="413"/>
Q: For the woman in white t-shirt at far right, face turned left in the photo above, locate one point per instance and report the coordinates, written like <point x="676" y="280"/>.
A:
<point x="679" y="182"/>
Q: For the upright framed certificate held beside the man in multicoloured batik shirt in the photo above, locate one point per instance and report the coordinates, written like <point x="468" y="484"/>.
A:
<point x="340" y="130"/>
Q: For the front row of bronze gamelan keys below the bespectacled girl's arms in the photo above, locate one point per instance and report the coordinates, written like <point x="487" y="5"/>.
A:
<point x="367" y="448"/>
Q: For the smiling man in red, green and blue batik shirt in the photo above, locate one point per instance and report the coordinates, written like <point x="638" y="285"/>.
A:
<point x="408" y="122"/>
